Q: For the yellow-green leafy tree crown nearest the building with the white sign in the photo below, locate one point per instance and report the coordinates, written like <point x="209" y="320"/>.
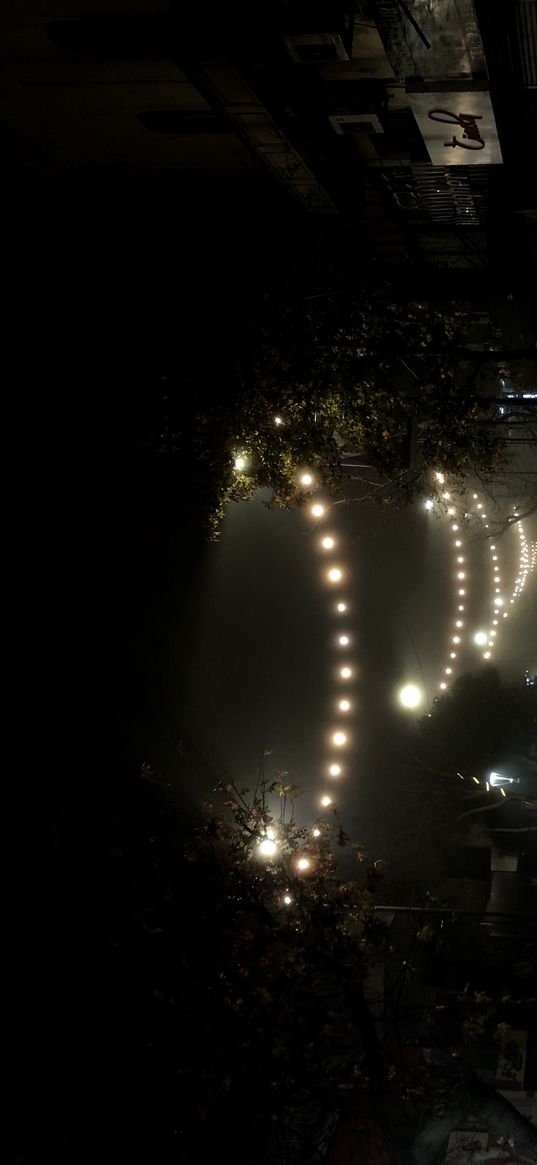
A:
<point x="343" y="378"/>
